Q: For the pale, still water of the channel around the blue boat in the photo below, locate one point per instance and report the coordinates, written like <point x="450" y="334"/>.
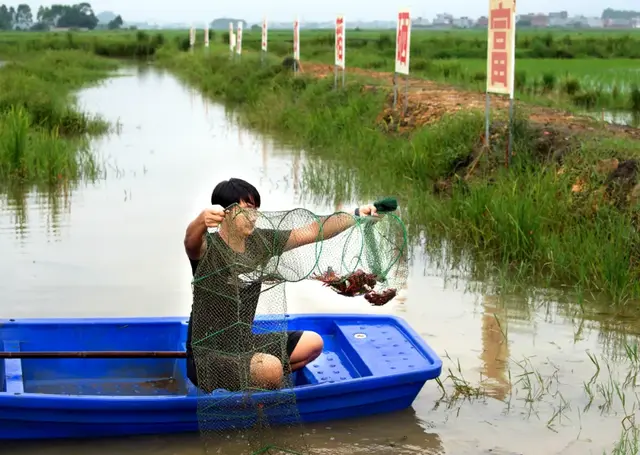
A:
<point x="113" y="248"/>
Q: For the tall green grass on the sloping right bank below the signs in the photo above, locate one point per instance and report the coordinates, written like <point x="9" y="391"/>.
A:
<point x="523" y="222"/>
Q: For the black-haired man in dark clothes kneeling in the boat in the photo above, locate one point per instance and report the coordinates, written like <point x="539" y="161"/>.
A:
<point x="237" y="234"/>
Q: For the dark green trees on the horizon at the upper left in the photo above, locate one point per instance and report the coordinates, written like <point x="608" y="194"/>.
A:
<point x="80" y="15"/>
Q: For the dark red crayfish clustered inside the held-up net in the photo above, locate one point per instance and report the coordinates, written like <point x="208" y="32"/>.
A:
<point x="355" y="284"/>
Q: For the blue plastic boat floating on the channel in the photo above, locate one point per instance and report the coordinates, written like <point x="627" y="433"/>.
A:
<point x="371" y="364"/>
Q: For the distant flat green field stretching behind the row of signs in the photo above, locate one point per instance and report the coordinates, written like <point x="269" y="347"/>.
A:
<point x="576" y="69"/>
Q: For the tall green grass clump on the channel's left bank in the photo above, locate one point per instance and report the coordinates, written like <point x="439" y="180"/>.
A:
<point x="43" y="138"/>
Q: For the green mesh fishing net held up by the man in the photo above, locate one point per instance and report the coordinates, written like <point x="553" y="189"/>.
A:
<point x="246" y="373"/>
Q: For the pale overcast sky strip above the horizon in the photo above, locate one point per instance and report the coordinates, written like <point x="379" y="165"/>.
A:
<point x="307" y="10"/>
